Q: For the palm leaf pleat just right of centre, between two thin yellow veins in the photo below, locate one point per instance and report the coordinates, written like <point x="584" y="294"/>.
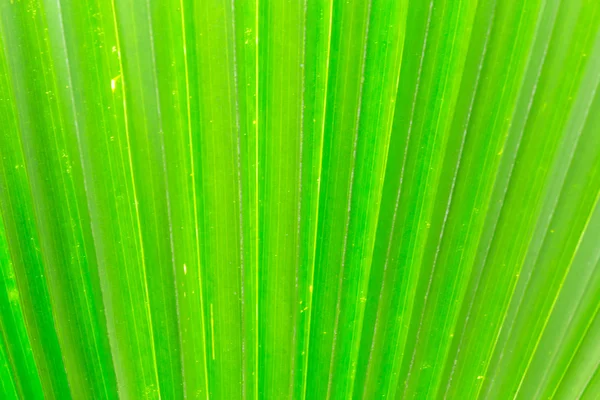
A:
<point x="360" y="104"/>
